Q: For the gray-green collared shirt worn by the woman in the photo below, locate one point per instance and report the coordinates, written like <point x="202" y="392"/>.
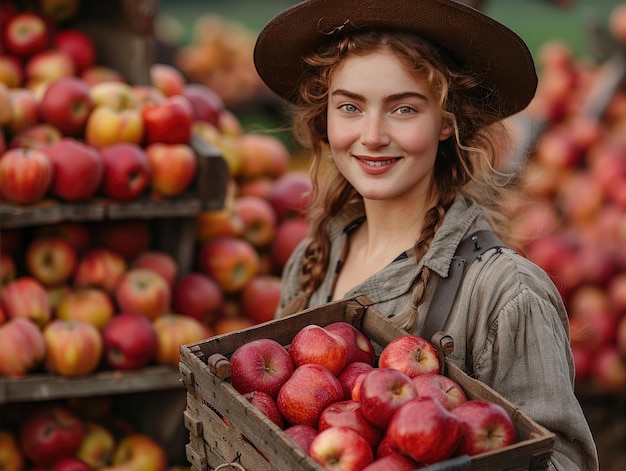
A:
<point x="508" y="322"/>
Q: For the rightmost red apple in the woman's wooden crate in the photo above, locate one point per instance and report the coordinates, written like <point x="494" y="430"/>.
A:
<point x="486" y="426"/>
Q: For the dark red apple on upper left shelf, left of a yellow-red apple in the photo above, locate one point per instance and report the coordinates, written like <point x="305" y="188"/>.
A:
<point x="66" y="104"/>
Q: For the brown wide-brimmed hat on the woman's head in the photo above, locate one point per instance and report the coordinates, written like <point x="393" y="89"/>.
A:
<point x="475" y="41"/>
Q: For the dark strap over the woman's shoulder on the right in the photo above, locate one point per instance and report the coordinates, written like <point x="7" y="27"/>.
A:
<point x="468" y="250"/>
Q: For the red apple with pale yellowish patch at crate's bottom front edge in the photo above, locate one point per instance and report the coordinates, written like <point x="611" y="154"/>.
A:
<point x="341" y="448"/>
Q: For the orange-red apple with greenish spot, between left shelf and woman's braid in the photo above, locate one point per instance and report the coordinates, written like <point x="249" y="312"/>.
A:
<point x="230" y="261"/>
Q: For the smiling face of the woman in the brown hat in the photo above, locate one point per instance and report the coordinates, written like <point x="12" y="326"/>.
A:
<point x="384" y="127"/>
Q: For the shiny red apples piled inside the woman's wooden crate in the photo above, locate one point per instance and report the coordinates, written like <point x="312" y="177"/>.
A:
<point x="352" y="411"/>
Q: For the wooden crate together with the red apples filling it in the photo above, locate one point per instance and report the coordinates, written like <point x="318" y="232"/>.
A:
<point x="340" y="384"/>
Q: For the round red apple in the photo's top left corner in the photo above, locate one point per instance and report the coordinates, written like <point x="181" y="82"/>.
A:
<point x="26" y="33"/>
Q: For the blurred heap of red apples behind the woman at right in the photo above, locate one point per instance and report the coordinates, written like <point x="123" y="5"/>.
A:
<point x="573" y="220"/>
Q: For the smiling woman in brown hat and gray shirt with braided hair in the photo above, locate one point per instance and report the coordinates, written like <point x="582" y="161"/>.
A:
<point x="402" y="103"/>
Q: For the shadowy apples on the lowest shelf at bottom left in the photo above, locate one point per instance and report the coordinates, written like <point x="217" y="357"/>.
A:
<point x="59" y="436"/>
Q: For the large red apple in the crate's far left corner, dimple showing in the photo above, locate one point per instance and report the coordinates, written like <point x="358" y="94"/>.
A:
<point x="261" y="365"/>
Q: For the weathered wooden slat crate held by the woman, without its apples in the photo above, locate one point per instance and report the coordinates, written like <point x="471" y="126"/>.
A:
<point x="224" y="428"/>
